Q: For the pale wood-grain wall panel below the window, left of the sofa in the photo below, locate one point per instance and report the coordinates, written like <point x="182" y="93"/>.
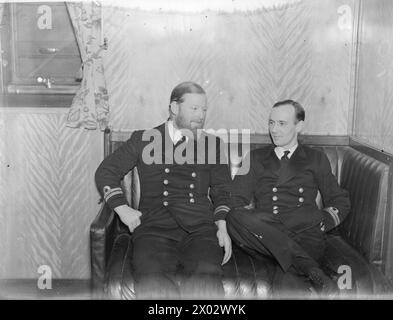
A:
<point x="48" y="198"/>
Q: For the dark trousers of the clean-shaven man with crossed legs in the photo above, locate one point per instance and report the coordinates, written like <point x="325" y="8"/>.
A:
<point x="263" y="234"/>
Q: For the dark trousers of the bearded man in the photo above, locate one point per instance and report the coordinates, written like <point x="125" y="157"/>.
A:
<point x="172" y="263"/>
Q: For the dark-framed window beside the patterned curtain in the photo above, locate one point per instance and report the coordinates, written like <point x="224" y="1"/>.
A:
<point x="40" y="55"/>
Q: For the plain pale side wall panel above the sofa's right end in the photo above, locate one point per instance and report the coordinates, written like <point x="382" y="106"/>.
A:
<point x="374" y="98"/>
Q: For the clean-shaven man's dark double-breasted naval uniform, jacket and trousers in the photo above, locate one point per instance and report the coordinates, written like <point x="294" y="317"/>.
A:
<point x="284" y="221"/>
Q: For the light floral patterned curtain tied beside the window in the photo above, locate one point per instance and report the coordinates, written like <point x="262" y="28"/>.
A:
<point x="90" y="107"/>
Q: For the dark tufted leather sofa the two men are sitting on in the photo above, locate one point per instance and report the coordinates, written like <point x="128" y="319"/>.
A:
<point x="362" y="241"/>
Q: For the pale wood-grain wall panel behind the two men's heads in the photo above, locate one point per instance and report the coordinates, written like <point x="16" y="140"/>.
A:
<point x="246" y="61"/>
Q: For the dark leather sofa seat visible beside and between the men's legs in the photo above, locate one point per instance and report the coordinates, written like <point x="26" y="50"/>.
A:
<point x="250" y="276"/>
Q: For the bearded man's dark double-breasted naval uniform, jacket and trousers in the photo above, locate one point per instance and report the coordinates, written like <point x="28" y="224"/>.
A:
<point x="175" y="248"/>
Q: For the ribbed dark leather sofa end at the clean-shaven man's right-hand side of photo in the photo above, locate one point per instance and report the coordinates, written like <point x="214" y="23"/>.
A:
<point x="365" y="227"/>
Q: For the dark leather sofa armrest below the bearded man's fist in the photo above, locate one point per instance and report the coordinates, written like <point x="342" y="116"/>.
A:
<point x="102" y="235"/>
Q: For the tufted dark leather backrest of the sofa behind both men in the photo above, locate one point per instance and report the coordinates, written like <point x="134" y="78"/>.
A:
<point x="366" y="180"/>
